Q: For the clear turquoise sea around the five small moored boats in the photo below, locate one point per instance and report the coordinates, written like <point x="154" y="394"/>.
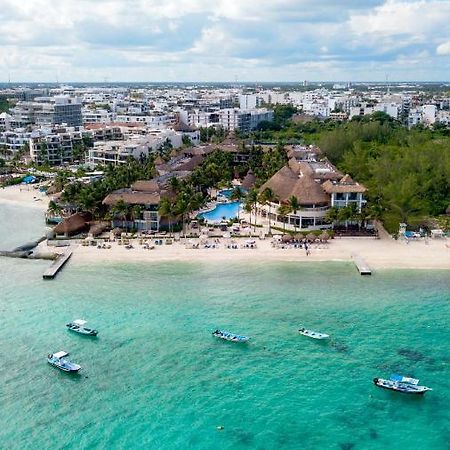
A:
<point x="156" y="379"/>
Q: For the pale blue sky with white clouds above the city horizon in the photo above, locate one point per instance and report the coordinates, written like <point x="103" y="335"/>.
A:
<point x="224" y="40"/>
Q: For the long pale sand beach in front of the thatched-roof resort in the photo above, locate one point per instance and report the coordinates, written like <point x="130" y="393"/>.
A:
<point x="378" y="254"/>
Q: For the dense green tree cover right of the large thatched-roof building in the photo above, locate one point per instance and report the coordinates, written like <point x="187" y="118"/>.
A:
<point x="407" y="172"/>
